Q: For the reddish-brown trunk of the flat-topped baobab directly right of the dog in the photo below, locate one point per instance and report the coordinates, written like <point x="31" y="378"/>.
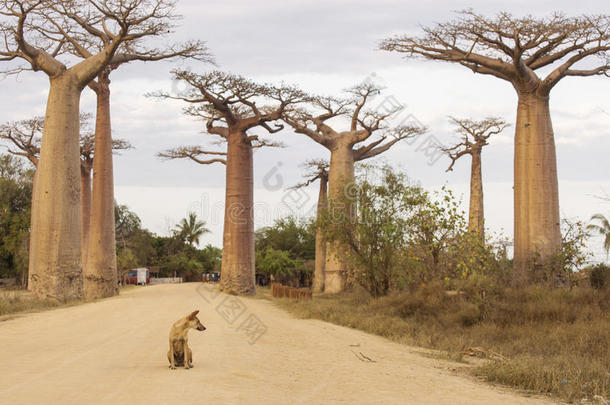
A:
<point x="237" y="271"/>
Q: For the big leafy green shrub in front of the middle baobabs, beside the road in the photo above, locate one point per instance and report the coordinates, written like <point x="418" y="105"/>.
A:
<point x="403" y="237"/>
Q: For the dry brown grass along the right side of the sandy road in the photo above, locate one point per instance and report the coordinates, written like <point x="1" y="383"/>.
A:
<point x="552" y="341"/>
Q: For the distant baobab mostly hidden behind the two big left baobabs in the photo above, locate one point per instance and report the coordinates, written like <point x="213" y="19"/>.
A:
<point x="25" y="137"/>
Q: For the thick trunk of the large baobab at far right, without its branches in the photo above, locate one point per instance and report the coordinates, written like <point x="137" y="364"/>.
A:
<point x="537" y="228"/>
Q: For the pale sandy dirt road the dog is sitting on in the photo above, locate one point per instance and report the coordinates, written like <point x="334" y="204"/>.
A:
<point x="114" y="352"/>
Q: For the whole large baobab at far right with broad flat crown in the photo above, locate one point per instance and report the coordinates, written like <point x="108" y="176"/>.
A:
<point x="533" y="54"/>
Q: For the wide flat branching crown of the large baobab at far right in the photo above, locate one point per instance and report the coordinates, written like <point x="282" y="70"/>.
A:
<point x="514" y="48"/>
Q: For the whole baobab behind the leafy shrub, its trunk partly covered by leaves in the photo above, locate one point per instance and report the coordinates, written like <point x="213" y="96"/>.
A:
<point x="346" y="148"/>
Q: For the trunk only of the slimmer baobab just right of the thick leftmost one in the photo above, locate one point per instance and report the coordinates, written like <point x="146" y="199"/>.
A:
<point x="100" y="271"/>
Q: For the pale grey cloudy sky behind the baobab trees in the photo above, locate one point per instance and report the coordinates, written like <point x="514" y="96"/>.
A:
<point x="324" y="47"/>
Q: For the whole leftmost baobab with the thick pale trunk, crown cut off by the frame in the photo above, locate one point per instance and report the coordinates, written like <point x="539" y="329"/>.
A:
<point x="55" y="269"/>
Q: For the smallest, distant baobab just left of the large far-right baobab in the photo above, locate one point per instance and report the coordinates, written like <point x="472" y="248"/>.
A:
<point x="474" y="136"/>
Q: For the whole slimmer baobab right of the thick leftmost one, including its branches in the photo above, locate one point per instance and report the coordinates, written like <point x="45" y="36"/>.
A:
<point x="100" y="274"/>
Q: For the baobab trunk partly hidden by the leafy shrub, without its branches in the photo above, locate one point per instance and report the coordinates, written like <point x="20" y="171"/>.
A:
<point x="341" y="208"/>
